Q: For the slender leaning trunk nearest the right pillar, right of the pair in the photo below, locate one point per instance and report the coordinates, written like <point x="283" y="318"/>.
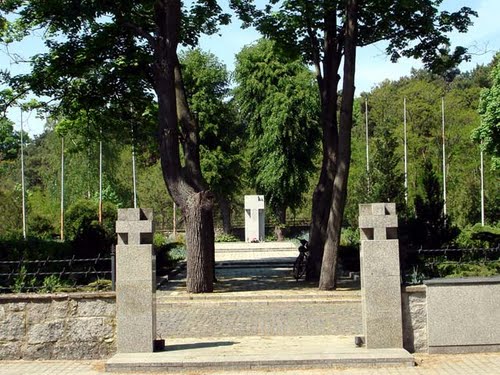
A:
<point x="330" y="253"/>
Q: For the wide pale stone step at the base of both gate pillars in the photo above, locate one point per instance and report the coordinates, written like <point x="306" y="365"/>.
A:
<point x="263" y="353"/>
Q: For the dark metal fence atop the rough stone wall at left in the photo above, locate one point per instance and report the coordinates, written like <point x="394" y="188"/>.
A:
<point x="32" y="275"/>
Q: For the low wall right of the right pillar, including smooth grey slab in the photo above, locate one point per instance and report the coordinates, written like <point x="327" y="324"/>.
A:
<point x="452" y="315"/>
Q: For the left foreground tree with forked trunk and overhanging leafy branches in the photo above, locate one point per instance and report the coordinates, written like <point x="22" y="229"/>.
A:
<point x="113" y="56"/>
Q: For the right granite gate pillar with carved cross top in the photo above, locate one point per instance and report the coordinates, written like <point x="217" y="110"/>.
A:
<point x="380" y="276"/>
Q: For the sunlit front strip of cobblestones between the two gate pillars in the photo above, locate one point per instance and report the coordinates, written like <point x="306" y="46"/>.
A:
<point x="259" y="318"/>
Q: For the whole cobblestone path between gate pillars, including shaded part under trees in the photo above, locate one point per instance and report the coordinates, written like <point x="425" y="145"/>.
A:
<point x="260" y="301"/>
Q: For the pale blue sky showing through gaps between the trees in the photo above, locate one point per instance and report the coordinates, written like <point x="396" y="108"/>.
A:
<point x="373" y="66"/>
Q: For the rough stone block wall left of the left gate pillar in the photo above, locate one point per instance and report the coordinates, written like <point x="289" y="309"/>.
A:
<point x="57" y="326"/>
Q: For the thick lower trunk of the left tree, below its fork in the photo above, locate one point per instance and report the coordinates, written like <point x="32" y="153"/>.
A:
<point x="200" y="242"/>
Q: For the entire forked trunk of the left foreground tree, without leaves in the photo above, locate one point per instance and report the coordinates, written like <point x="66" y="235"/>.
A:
<point x="186" y="185"/>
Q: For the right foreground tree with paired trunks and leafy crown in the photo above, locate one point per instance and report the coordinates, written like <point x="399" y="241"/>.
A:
<point x="325" y="33"/>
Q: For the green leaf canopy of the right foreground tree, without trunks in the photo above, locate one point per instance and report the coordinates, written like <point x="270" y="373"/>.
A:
<point x="412" y="29"/>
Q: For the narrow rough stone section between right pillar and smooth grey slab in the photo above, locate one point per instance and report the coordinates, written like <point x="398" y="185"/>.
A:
<point x="415" y="319"/>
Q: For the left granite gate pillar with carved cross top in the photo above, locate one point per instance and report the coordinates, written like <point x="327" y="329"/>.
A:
<point x="135" y="281"/>
